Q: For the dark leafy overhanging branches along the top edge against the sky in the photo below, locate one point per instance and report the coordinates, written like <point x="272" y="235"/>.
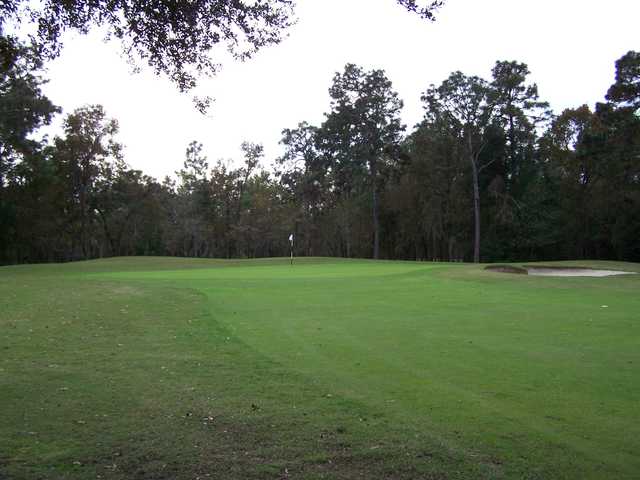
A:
<point x="181" y="40"/>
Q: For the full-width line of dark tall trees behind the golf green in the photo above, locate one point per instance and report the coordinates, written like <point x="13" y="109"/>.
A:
<point x="489" y="174"/>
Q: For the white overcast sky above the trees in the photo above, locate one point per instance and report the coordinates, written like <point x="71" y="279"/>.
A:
<point x="569" y="45"/>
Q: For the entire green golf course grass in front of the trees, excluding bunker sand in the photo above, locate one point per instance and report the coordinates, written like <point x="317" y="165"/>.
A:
<point x="169" y="368"/>
